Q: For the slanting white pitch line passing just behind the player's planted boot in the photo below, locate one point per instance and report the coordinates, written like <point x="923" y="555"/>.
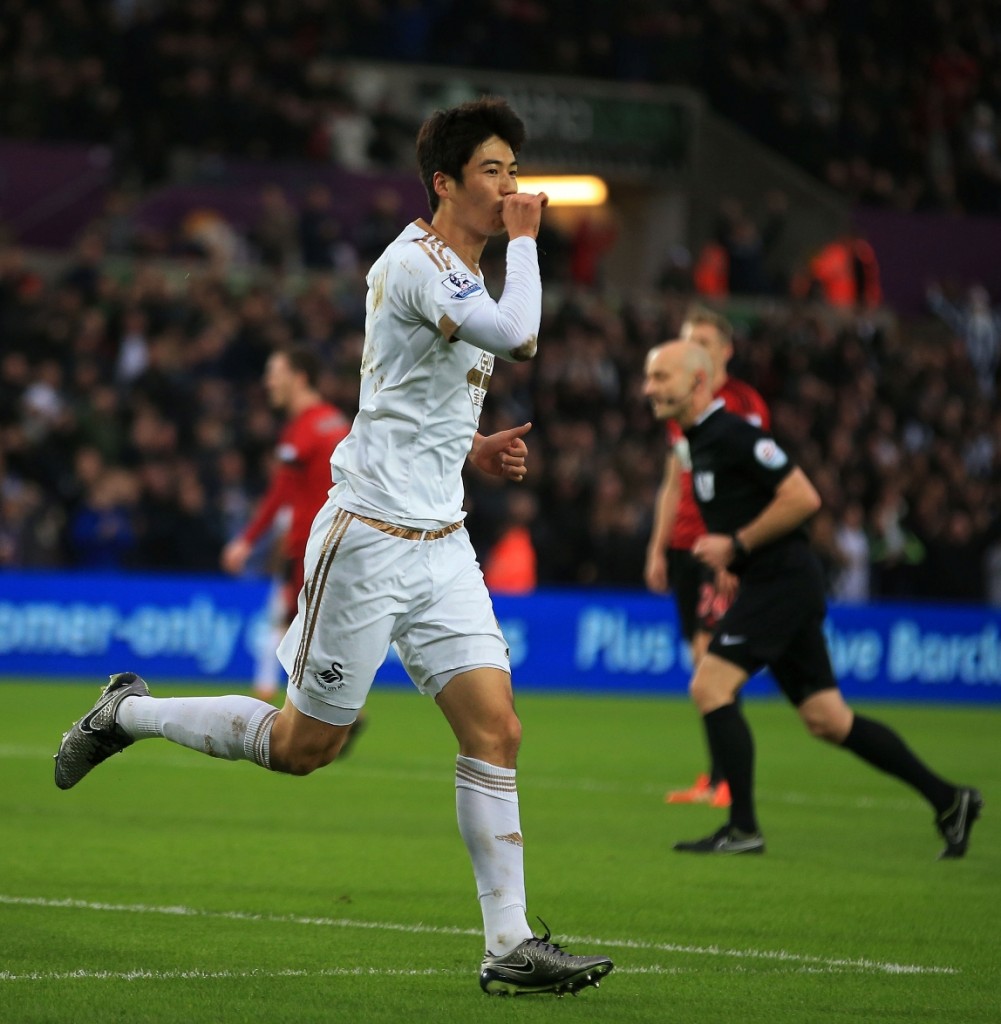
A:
<point x="805" y="961"/>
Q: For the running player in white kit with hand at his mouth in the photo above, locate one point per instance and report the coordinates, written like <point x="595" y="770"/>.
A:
<point x="389" y="561"/>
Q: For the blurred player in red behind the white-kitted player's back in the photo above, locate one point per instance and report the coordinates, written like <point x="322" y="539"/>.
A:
<point x="300" y="483"/>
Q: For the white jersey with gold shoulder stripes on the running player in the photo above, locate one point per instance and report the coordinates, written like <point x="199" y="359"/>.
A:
<point x="422" y="388"/>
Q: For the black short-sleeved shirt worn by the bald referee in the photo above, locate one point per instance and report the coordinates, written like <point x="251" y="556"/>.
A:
<point x="736" y="470"/>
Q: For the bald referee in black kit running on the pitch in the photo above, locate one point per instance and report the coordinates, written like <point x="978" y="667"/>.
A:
<point x="756" y="504"/>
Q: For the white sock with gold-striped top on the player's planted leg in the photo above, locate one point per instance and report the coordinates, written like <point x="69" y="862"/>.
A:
<point x="487" y="806"/>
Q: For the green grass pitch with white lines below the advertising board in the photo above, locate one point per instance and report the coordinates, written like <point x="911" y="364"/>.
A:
<point x="168" y="887"/>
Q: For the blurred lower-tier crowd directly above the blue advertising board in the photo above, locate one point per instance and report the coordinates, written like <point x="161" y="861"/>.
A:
<point x="136" y="434"/>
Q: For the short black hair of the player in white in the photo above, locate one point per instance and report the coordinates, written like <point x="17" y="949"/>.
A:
<point x="449" y="139"/>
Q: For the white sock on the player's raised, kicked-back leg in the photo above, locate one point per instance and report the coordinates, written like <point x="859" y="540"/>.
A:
<point x="235" y="728"/>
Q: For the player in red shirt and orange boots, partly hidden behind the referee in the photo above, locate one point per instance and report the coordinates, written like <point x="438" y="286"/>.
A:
<point x="702" y="598"/>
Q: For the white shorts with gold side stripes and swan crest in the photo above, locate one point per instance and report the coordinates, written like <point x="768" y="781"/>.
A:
<point x="369" y="586"/>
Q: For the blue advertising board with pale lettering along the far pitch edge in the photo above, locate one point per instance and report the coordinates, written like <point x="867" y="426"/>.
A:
<point x="213" y="629"/>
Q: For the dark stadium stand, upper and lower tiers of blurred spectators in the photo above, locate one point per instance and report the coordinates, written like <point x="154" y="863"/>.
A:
<point x="132" y="419"/>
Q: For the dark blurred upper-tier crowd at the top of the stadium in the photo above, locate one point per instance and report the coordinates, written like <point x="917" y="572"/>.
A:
<point x="901" y="119"/>
